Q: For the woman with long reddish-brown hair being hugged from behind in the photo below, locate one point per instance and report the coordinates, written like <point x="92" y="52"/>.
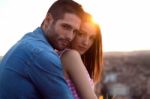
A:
<point x="82" y="61"/>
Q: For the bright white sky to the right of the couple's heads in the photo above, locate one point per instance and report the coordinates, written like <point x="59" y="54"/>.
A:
<point x="124" y="24"/>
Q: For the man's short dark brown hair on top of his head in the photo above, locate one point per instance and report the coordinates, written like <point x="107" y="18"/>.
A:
<point x="60" y="7"/>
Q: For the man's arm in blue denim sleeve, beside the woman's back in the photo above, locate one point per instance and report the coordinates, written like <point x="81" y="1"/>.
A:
<point x="47" y="75"/>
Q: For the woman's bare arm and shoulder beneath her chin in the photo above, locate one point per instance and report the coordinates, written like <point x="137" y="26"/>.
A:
<point x="76" y="70"/>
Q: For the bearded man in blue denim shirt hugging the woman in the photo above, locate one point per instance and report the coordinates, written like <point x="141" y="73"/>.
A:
<point x="31" y="69"/>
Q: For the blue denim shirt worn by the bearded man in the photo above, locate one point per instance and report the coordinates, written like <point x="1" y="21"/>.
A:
<point x="31" y="69"/>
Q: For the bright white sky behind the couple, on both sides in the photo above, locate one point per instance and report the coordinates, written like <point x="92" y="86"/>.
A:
<point x="124" y="23"/>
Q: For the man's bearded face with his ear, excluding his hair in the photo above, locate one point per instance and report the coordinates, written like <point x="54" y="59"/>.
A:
<point x="61" y="32"/>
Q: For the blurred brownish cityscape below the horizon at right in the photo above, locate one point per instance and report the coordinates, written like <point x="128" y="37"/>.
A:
<point x="126" y="75"/>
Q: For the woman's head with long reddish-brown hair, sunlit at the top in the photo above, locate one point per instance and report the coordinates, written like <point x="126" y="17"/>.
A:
<point x="89" y="44"/>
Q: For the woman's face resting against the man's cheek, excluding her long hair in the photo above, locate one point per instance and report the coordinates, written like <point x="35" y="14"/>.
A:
<point x="84" y="39"/>
